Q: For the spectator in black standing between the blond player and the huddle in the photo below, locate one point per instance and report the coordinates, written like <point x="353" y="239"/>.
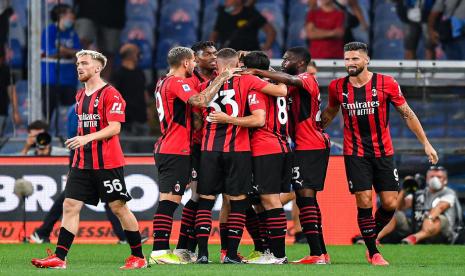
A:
<point x="130" y="81"/>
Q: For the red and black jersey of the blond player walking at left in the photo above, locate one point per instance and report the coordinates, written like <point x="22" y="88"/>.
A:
<point x="94" y="113"/>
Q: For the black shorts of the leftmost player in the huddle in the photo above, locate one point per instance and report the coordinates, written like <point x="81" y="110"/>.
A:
<point x="173" y="172"/>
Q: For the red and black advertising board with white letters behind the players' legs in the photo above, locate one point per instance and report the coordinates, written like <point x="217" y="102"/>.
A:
<point x="48" y="176"/>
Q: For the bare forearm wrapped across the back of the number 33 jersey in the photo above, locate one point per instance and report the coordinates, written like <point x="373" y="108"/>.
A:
<point x="257" y="119"/>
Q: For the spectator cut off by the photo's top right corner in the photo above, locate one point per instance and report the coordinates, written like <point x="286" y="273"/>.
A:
<point x="452" y="39"/>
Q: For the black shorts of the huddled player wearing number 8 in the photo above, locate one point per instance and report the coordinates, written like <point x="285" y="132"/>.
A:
<point x="272" y="173"/>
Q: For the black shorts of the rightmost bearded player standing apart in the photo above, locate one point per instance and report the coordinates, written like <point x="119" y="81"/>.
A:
<point x="365" y="172"/>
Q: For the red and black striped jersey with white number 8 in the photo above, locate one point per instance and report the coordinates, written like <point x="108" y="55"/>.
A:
<point x="272" y="138"/>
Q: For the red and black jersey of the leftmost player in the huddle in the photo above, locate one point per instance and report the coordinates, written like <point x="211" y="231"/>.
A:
<point x="174" y="114"/>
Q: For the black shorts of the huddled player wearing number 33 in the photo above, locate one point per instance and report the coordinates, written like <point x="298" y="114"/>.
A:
<point x="225" y="172"/>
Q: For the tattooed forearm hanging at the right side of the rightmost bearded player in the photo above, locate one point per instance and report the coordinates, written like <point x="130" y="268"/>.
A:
<point x="415" y="126"/>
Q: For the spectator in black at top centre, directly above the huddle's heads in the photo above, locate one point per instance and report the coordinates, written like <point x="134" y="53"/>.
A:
<point x="237" y="27"/>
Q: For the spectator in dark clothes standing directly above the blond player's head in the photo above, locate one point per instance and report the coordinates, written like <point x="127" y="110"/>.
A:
<point x="100" y="23"/>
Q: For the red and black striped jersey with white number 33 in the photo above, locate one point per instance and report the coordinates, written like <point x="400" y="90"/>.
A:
<point x="232" y="100"/>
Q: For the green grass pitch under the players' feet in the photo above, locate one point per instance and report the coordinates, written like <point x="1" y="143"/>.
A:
<point x="346" y="260"/>
